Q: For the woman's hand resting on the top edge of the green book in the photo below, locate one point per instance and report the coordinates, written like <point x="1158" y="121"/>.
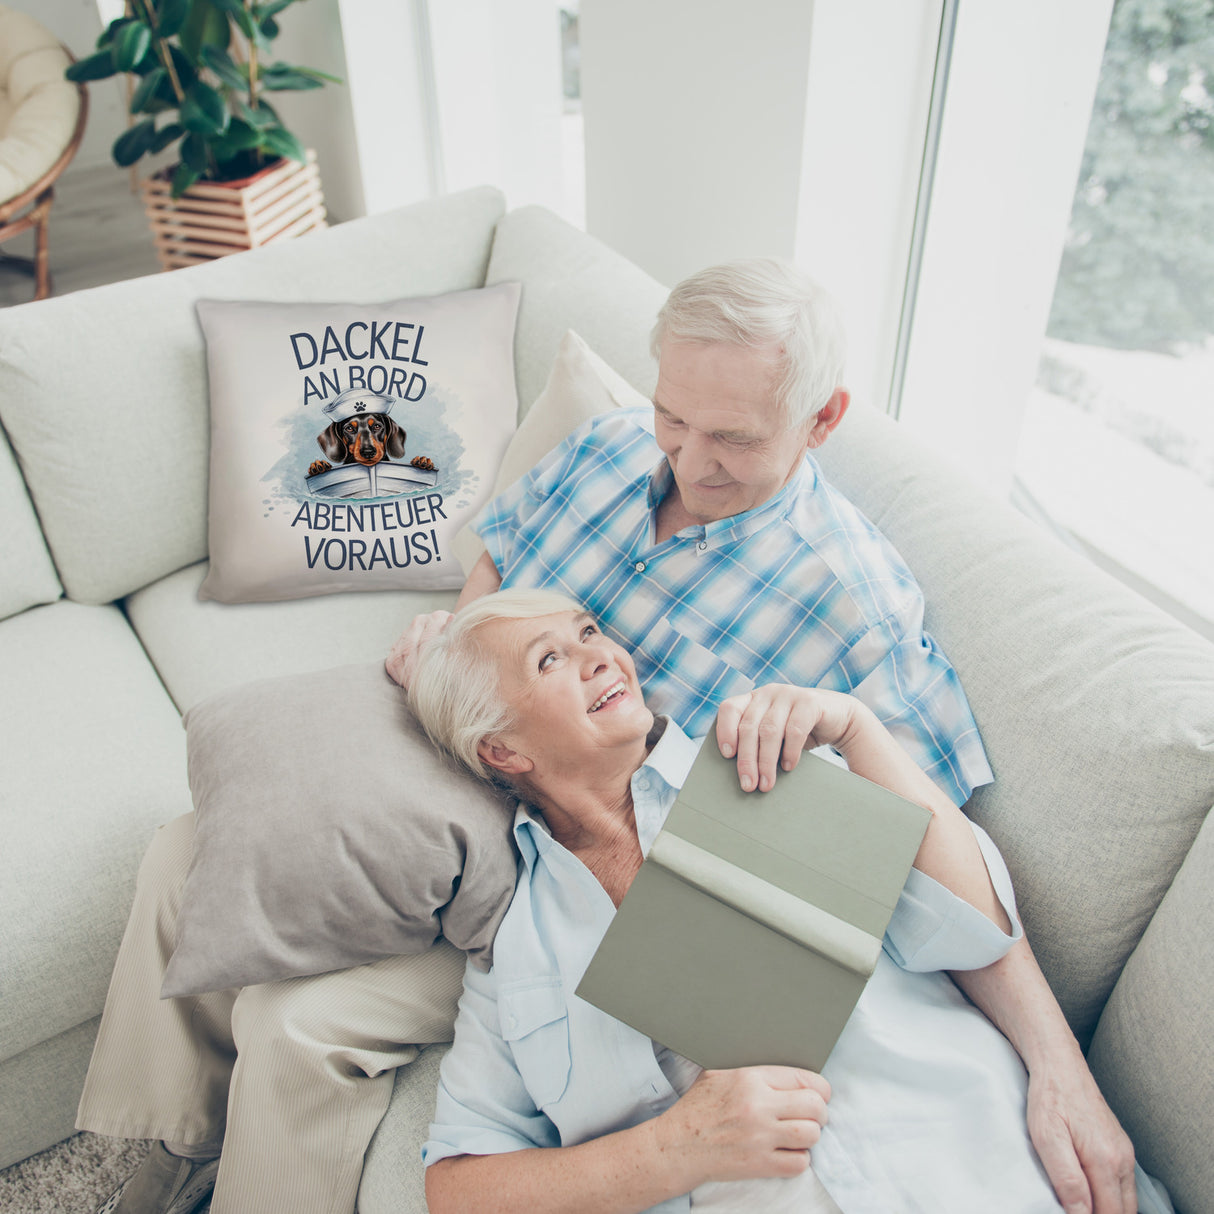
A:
<point x="770" y="727"/>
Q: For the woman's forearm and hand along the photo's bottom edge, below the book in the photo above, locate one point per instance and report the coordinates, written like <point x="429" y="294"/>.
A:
<point x="729" y="1126"/>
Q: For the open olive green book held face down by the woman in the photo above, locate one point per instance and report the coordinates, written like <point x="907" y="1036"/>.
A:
<point x="757" y="920"/>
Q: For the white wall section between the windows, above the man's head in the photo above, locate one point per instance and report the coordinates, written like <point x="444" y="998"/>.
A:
<point x="695" y="124"/>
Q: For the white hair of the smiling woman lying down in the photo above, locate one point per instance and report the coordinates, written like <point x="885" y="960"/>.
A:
<point x="455" y="691"/>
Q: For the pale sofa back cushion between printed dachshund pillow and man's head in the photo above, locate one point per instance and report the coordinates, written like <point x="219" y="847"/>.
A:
<point x="574" y="282"/>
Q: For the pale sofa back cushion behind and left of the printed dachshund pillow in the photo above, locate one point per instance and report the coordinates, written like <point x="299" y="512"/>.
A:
<point x="124" y="502"/>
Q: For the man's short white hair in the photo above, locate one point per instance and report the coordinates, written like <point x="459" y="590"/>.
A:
<point x="763" y="303"/>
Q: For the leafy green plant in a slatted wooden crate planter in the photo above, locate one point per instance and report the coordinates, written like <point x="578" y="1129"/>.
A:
<point x="202" y="71"/>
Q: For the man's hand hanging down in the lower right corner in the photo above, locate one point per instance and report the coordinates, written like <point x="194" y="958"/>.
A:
<point x="1086" y="1153"/>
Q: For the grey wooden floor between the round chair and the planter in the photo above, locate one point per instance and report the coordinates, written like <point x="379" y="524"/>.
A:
<point x="98" y="235"/>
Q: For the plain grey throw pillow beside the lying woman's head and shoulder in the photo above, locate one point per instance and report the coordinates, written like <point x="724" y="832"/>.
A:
<point x="330" y="833"/>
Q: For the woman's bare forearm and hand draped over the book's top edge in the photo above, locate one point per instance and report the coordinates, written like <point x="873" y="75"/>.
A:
<point x="769" y="729"/>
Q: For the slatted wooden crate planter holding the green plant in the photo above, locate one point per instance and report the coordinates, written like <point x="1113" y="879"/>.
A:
<point x="217" y="218"/>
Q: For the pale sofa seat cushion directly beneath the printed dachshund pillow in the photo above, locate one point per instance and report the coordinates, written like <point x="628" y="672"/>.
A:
<point x="201" y="649"/>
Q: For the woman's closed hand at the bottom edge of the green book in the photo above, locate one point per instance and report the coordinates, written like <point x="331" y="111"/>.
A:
<point x="757" y="1121"/>
